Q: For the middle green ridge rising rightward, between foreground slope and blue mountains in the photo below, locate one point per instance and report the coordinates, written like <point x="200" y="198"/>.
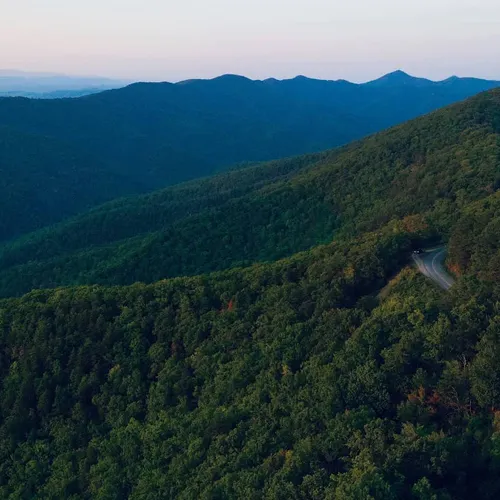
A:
<point x="434" y="165"/>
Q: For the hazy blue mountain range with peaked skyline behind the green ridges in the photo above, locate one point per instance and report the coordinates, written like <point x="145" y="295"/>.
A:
<point x="152" y="135"/>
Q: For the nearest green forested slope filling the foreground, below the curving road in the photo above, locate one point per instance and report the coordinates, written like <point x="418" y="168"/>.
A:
<point x="283" y="380"/>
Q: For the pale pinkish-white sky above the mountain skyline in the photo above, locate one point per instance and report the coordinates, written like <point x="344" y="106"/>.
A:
<point x="165" y="40"/>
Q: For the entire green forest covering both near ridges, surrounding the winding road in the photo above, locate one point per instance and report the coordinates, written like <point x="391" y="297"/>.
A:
<point x="336" y="372"/>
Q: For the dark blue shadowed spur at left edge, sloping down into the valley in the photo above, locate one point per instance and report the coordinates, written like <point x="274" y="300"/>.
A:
<point x="42" y="179"/>
